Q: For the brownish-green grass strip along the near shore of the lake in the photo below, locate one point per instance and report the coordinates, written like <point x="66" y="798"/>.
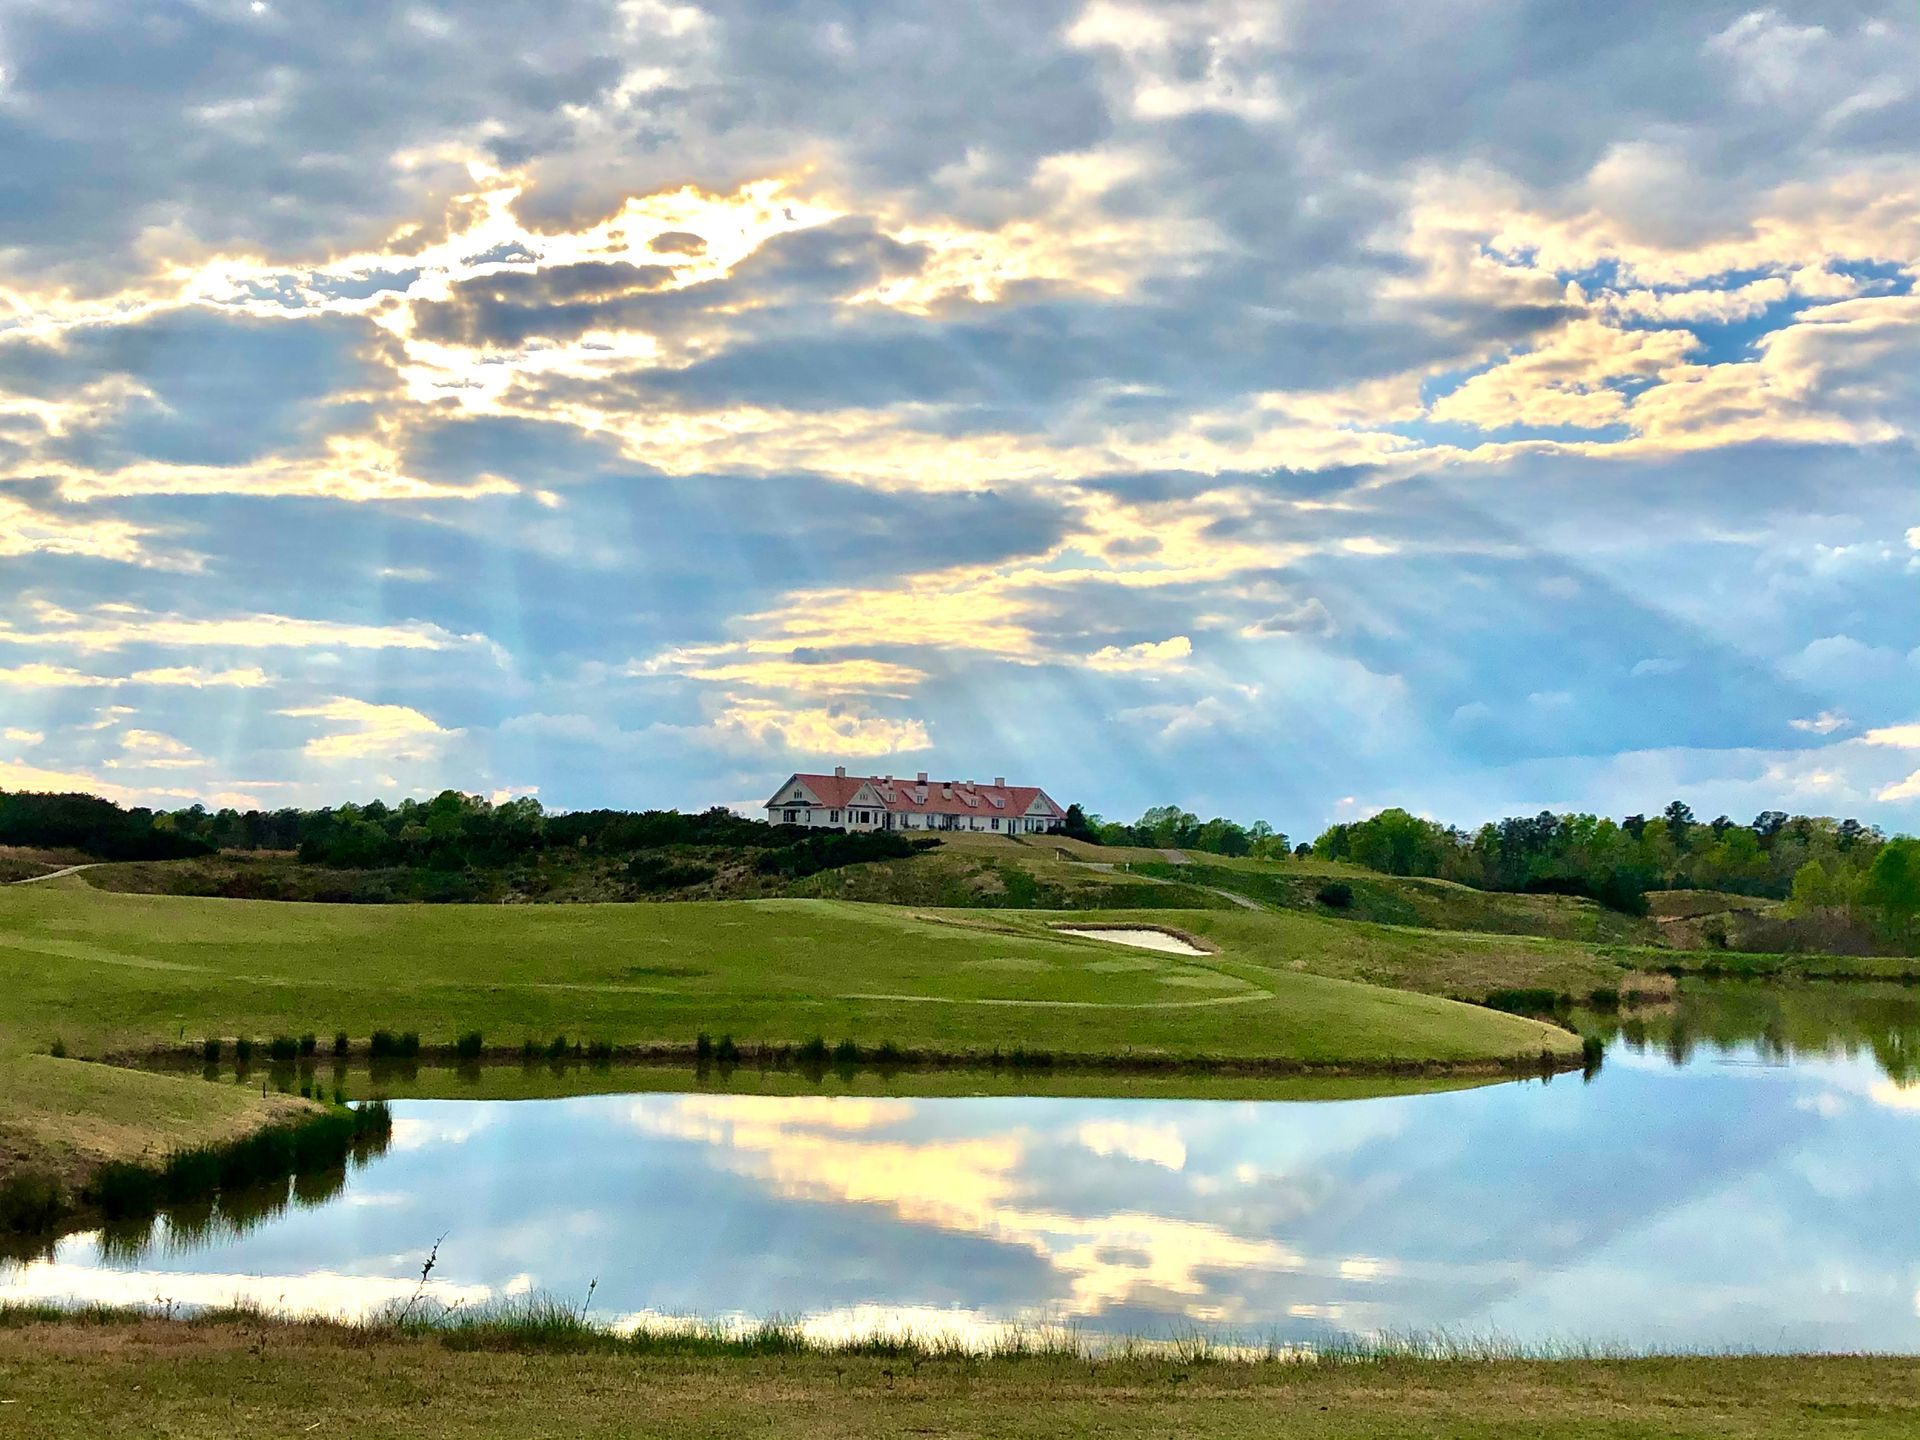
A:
<point x="220" y="1380"/>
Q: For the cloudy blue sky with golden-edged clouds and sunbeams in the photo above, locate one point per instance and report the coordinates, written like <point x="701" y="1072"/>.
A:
<point x="1280" y="410"/>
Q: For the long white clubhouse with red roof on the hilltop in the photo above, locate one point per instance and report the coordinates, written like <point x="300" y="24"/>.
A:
<point x="842" y="802"/>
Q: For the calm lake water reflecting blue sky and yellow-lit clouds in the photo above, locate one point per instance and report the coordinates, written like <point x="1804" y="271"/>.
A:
<point x="1742" y="1174"/>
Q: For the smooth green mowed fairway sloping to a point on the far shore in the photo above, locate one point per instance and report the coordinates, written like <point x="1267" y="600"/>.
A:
<point x="118" y="972"/>
